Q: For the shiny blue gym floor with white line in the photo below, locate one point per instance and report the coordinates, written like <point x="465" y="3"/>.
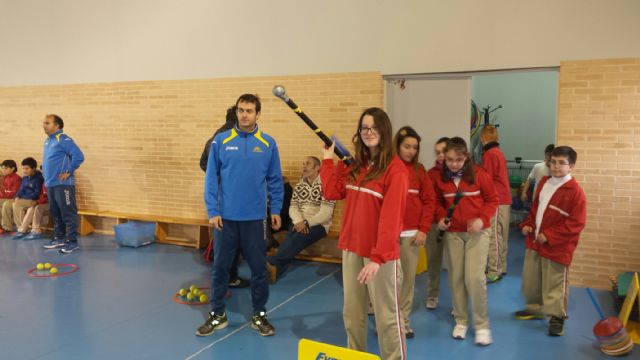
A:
<point x="119" y="306"/>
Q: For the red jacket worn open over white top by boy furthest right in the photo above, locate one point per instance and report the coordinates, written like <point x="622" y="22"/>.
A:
<point x="562" y="221"/>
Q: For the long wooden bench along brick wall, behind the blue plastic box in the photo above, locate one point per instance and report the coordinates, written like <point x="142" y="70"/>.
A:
<point x="162" y="226"/>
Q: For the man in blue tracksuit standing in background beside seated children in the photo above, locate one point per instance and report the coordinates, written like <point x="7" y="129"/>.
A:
<point x="61" y="158"/>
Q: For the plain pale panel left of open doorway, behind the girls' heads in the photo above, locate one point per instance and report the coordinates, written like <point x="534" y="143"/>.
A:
<point x="433" y="107"/>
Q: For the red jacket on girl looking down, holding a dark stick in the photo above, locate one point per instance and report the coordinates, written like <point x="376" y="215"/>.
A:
<point x="479" y="200"/>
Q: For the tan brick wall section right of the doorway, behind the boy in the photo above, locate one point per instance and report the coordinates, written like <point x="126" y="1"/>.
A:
<point x="599" y="115"/>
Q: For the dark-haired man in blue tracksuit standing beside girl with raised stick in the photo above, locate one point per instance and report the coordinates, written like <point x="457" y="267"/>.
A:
<point x="247" y="164"/>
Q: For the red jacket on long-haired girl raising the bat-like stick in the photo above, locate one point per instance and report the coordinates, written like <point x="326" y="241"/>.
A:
<point x="373" y="212"/>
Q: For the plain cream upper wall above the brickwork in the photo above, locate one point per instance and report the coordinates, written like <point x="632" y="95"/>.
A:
<point x="78" y="41"/>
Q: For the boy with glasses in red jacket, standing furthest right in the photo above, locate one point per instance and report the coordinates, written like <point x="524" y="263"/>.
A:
<point x="552" y="231"/>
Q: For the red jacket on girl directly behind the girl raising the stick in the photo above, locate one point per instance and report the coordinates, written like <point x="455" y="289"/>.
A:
<point x="421" y="200"/>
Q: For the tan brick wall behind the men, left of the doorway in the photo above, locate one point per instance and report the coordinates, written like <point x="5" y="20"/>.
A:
<point x="142" y="140"/>
